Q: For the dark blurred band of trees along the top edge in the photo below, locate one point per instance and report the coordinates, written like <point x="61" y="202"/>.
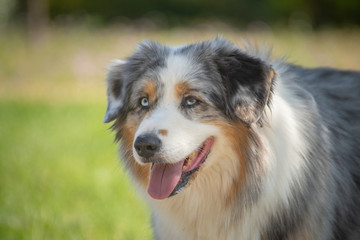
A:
<point x="238" y="12"/>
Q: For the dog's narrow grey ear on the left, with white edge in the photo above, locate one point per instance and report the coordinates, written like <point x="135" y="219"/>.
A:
<point x="115" y="90"/>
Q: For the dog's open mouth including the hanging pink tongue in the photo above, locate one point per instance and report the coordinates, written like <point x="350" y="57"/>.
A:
<point x="167" y="180"/>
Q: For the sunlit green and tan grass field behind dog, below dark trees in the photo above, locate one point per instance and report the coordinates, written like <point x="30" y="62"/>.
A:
<point x="59" y="172"/>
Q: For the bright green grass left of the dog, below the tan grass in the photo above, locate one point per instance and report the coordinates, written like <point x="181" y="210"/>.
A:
<point x="60" y="178"/>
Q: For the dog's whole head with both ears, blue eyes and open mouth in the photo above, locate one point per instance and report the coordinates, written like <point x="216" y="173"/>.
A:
<point x="177" y="108"/>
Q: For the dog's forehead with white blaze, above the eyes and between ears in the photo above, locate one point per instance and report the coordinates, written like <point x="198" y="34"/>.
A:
<point x="181" y="70"/>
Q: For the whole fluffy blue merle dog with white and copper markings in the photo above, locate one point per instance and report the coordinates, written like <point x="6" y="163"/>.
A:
<point x="225" y="142"/>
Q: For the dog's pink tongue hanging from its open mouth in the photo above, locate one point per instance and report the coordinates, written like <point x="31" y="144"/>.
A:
<point x="164" y="178"/>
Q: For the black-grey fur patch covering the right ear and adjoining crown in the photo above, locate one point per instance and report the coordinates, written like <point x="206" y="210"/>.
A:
<point x="240" y="85"/>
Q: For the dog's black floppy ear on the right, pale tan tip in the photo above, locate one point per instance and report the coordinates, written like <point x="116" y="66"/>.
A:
<point x="247" y="81"/>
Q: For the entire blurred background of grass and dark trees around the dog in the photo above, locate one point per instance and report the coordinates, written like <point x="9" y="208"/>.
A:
<point x="59" y="171"/>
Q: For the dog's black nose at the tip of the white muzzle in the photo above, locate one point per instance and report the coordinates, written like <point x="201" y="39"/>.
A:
<point x="147" y="145"/>
